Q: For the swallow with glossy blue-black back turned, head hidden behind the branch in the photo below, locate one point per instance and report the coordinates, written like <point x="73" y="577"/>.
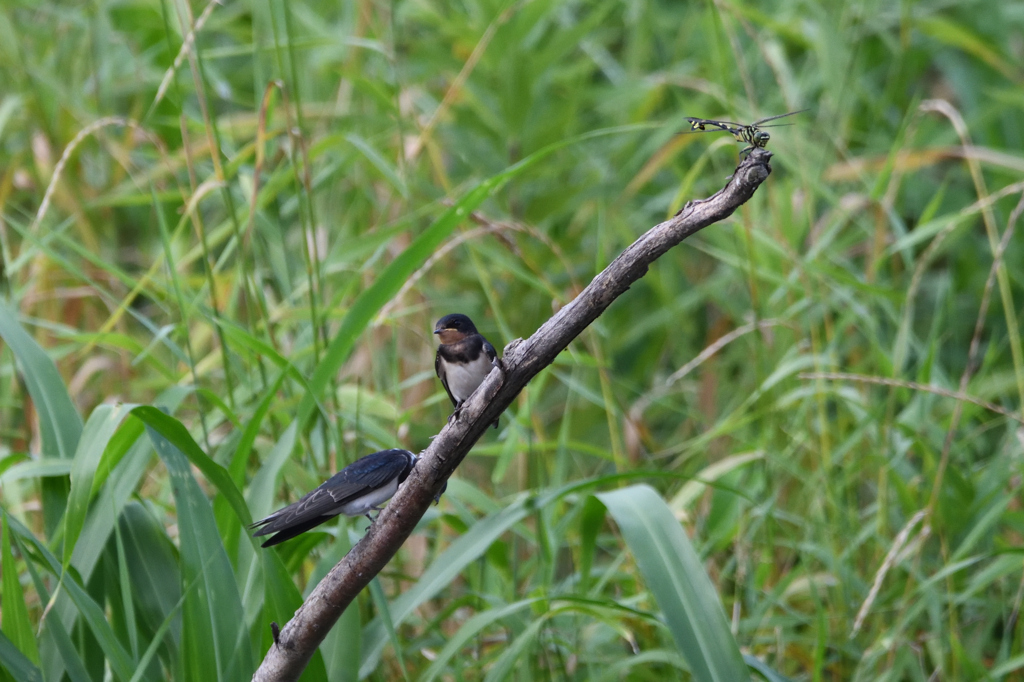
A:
<point x="358" y="489"/>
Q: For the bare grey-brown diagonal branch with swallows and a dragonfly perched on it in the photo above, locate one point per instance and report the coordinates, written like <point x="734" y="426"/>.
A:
<point x="524" y="360"/>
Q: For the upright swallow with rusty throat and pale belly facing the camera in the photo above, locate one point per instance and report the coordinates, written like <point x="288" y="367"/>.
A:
<point x="464" y="359"/>
